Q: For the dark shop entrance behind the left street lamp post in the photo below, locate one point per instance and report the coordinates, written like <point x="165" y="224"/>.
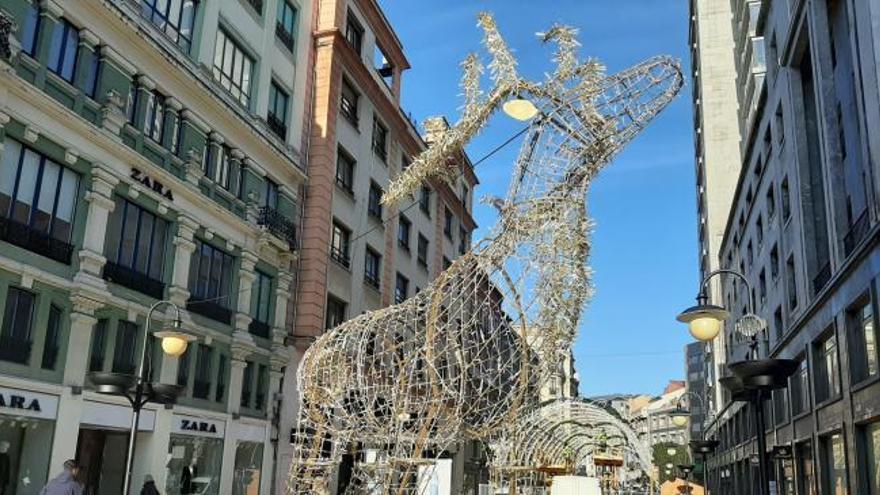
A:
<point x="101" y="453"/>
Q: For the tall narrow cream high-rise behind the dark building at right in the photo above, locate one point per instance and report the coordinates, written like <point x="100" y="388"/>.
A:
<point x="716" y="141"/>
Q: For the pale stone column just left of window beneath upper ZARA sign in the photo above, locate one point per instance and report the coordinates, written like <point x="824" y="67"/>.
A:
<point x="100" y="200"/>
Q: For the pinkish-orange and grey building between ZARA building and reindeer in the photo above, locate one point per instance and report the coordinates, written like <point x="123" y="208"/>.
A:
<point x="358" y="255"/>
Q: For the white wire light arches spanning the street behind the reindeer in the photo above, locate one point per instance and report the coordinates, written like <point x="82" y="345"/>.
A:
<point x="563" y="436"/>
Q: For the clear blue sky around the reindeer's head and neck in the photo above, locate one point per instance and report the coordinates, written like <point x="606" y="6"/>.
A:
<point x="644" y="245"/>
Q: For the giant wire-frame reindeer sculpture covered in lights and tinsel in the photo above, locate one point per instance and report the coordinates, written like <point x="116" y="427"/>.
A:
<point x="395" y="387"/>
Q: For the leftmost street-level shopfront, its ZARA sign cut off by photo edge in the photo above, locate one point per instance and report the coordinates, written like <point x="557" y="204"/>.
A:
<point x="27" y="425"/>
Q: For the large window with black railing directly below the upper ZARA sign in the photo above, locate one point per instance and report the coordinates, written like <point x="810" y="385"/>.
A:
<point x="135" y="242"/>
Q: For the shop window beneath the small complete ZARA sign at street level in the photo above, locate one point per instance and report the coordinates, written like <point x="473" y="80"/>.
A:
<point x="195" y="456"/>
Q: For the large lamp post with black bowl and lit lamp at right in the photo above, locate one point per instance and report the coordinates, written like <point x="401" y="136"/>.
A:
<point x="753" y="378"/>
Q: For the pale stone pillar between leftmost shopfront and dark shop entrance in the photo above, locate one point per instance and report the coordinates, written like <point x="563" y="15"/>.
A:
<point x="70" y="404"/>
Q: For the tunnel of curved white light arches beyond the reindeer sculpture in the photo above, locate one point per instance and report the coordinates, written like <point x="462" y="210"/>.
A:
<point x="567" y="431"/>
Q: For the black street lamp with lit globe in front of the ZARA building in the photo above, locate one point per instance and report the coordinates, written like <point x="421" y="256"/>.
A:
<point x="137" y="388"/>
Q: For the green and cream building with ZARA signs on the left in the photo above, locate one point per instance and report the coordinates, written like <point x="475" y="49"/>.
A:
<point x="150" y="150"/>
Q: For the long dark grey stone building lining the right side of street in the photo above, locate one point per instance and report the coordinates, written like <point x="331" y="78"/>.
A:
<point x="804" y="229"/>
